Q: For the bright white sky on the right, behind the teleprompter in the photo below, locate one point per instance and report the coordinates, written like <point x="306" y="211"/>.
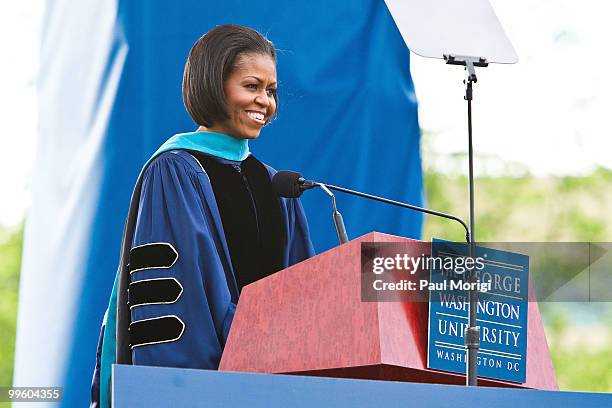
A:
<point x="549" y="113"/>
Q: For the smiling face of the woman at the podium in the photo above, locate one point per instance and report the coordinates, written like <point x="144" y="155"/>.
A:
<point x="249" y="92"/>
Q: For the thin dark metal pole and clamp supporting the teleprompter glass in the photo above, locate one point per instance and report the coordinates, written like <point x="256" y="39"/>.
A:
<point x="472" y="332"/>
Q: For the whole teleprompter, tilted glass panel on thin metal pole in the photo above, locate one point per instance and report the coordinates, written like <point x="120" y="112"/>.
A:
<point x="470" y="29"/>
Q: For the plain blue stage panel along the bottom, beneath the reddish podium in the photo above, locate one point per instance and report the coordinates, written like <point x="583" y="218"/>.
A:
<point x="153" y="387"/>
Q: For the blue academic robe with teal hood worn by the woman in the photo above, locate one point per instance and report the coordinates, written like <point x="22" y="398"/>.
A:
<point x="175" y="207"/>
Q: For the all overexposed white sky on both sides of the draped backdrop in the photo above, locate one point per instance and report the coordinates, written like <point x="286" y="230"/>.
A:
<point x="546" y="115"/>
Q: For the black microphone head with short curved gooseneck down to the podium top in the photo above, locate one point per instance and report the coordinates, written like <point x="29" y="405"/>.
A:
<point x="290" y="184"/>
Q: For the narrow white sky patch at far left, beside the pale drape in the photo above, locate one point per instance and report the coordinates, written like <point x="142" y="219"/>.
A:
<point x="20" y="26"/>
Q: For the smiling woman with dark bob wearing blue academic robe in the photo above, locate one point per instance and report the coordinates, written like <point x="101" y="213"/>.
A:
<point x="204" y="220"/>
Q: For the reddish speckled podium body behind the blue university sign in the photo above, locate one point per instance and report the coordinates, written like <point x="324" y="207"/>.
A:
<point x="309" y="320"/>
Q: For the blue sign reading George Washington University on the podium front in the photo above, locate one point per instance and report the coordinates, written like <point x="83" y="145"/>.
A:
<point x="503" y="288"/>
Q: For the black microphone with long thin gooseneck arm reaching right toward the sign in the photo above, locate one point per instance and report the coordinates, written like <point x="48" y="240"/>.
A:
<point x="292" y="184"/>
